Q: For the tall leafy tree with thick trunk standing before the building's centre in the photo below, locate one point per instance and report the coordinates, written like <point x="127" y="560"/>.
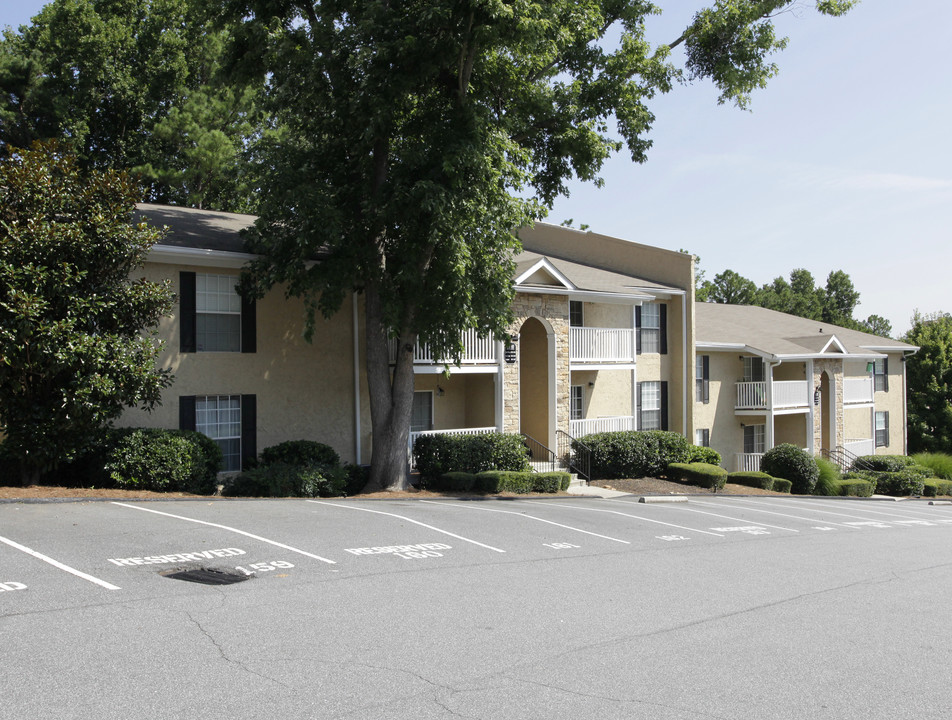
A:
<point x="415" y="138"/>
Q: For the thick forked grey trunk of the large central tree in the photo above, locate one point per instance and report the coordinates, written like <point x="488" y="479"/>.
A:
<point x="391" y="400"/>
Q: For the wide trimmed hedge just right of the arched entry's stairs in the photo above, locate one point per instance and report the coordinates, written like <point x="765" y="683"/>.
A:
<point x="635" y="454"/>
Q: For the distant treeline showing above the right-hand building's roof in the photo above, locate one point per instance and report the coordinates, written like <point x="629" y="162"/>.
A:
<point x="833" y="303"/>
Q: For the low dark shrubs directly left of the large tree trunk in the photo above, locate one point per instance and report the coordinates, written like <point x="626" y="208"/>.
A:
<point x="283" y="480"/>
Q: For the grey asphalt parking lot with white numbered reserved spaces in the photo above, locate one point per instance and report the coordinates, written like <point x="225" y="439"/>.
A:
<point x="723" y="606"/>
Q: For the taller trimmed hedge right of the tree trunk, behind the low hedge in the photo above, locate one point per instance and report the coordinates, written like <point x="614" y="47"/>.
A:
<point x="439" y="454"/>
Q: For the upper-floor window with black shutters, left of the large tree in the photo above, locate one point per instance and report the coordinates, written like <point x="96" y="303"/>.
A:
<point x="214" y="318"/>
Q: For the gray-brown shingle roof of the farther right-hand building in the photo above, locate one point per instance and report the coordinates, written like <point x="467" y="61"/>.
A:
<point x="777" y="333"/>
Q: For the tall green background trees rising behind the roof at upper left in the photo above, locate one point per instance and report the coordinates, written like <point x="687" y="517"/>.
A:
<point x="132" y="84"/>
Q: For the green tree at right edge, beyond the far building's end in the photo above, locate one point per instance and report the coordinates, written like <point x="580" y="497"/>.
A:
<point x="929" y="383"/>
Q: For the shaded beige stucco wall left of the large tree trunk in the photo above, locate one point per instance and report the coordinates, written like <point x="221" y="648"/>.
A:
<point x="304" y="391"/>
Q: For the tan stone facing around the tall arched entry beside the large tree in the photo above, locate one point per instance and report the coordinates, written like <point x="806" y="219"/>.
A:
<point x="553" y="310"/>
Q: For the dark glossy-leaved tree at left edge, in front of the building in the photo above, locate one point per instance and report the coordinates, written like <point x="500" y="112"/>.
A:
<point x="74" y="345"/>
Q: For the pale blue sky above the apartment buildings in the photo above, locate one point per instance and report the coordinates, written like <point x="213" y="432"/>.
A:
<point x="843" y="163"/>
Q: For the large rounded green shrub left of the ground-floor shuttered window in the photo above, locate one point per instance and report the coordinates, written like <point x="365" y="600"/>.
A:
<point x="146" y="460"/>
